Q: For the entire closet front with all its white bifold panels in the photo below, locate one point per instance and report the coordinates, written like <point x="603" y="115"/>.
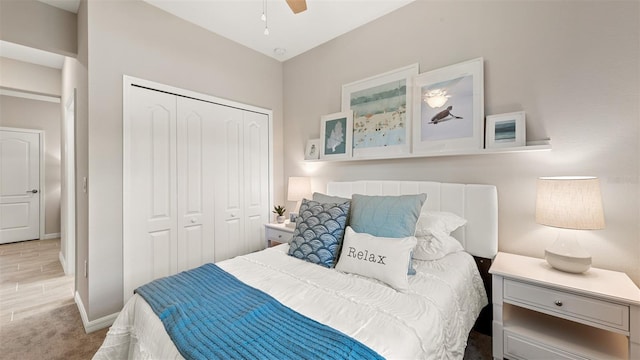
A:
<point x="196" y="181"/>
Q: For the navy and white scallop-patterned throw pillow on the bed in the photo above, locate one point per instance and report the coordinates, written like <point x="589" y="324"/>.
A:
<point x="319" y="232"/>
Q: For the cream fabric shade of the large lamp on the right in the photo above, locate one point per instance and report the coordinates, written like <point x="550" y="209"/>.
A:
<point x="569" y="202"/>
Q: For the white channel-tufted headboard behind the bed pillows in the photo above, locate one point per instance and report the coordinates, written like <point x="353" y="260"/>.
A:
<point x="474" y="202"/>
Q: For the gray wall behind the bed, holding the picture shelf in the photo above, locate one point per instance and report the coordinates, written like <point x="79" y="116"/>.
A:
<point x="571" y="66"/>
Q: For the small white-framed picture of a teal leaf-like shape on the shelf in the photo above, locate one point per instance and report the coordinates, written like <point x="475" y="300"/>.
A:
<point x="336" y="135"/>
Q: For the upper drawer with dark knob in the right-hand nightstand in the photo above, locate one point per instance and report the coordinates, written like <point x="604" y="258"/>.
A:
<point x="570" y="306"/>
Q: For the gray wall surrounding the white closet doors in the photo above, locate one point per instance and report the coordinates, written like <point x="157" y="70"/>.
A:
<point x="137" y="39"/>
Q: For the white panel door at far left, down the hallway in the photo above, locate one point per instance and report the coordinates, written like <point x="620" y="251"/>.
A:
<point x="19" y="186"/>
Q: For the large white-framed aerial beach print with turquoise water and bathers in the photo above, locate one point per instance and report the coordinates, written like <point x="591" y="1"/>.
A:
<point x="381" y="108"/>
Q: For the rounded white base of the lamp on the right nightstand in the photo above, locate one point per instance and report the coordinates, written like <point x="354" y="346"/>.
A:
<point x="567" y="255"/>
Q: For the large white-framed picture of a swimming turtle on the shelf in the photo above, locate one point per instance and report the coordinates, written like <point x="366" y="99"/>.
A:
<point x="448" y="107"/>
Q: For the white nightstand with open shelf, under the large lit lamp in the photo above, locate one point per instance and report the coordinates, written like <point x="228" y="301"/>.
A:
<point x="543" y="313"/>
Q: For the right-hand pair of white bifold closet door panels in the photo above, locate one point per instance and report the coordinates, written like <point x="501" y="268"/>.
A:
<point x="242" y="185"/>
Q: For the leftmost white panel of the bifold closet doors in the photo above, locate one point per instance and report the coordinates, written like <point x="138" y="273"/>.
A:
<point x="150" y="188"/>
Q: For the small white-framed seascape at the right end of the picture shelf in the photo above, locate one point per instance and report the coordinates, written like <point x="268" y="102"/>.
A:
<point x="505" y="130"/>
